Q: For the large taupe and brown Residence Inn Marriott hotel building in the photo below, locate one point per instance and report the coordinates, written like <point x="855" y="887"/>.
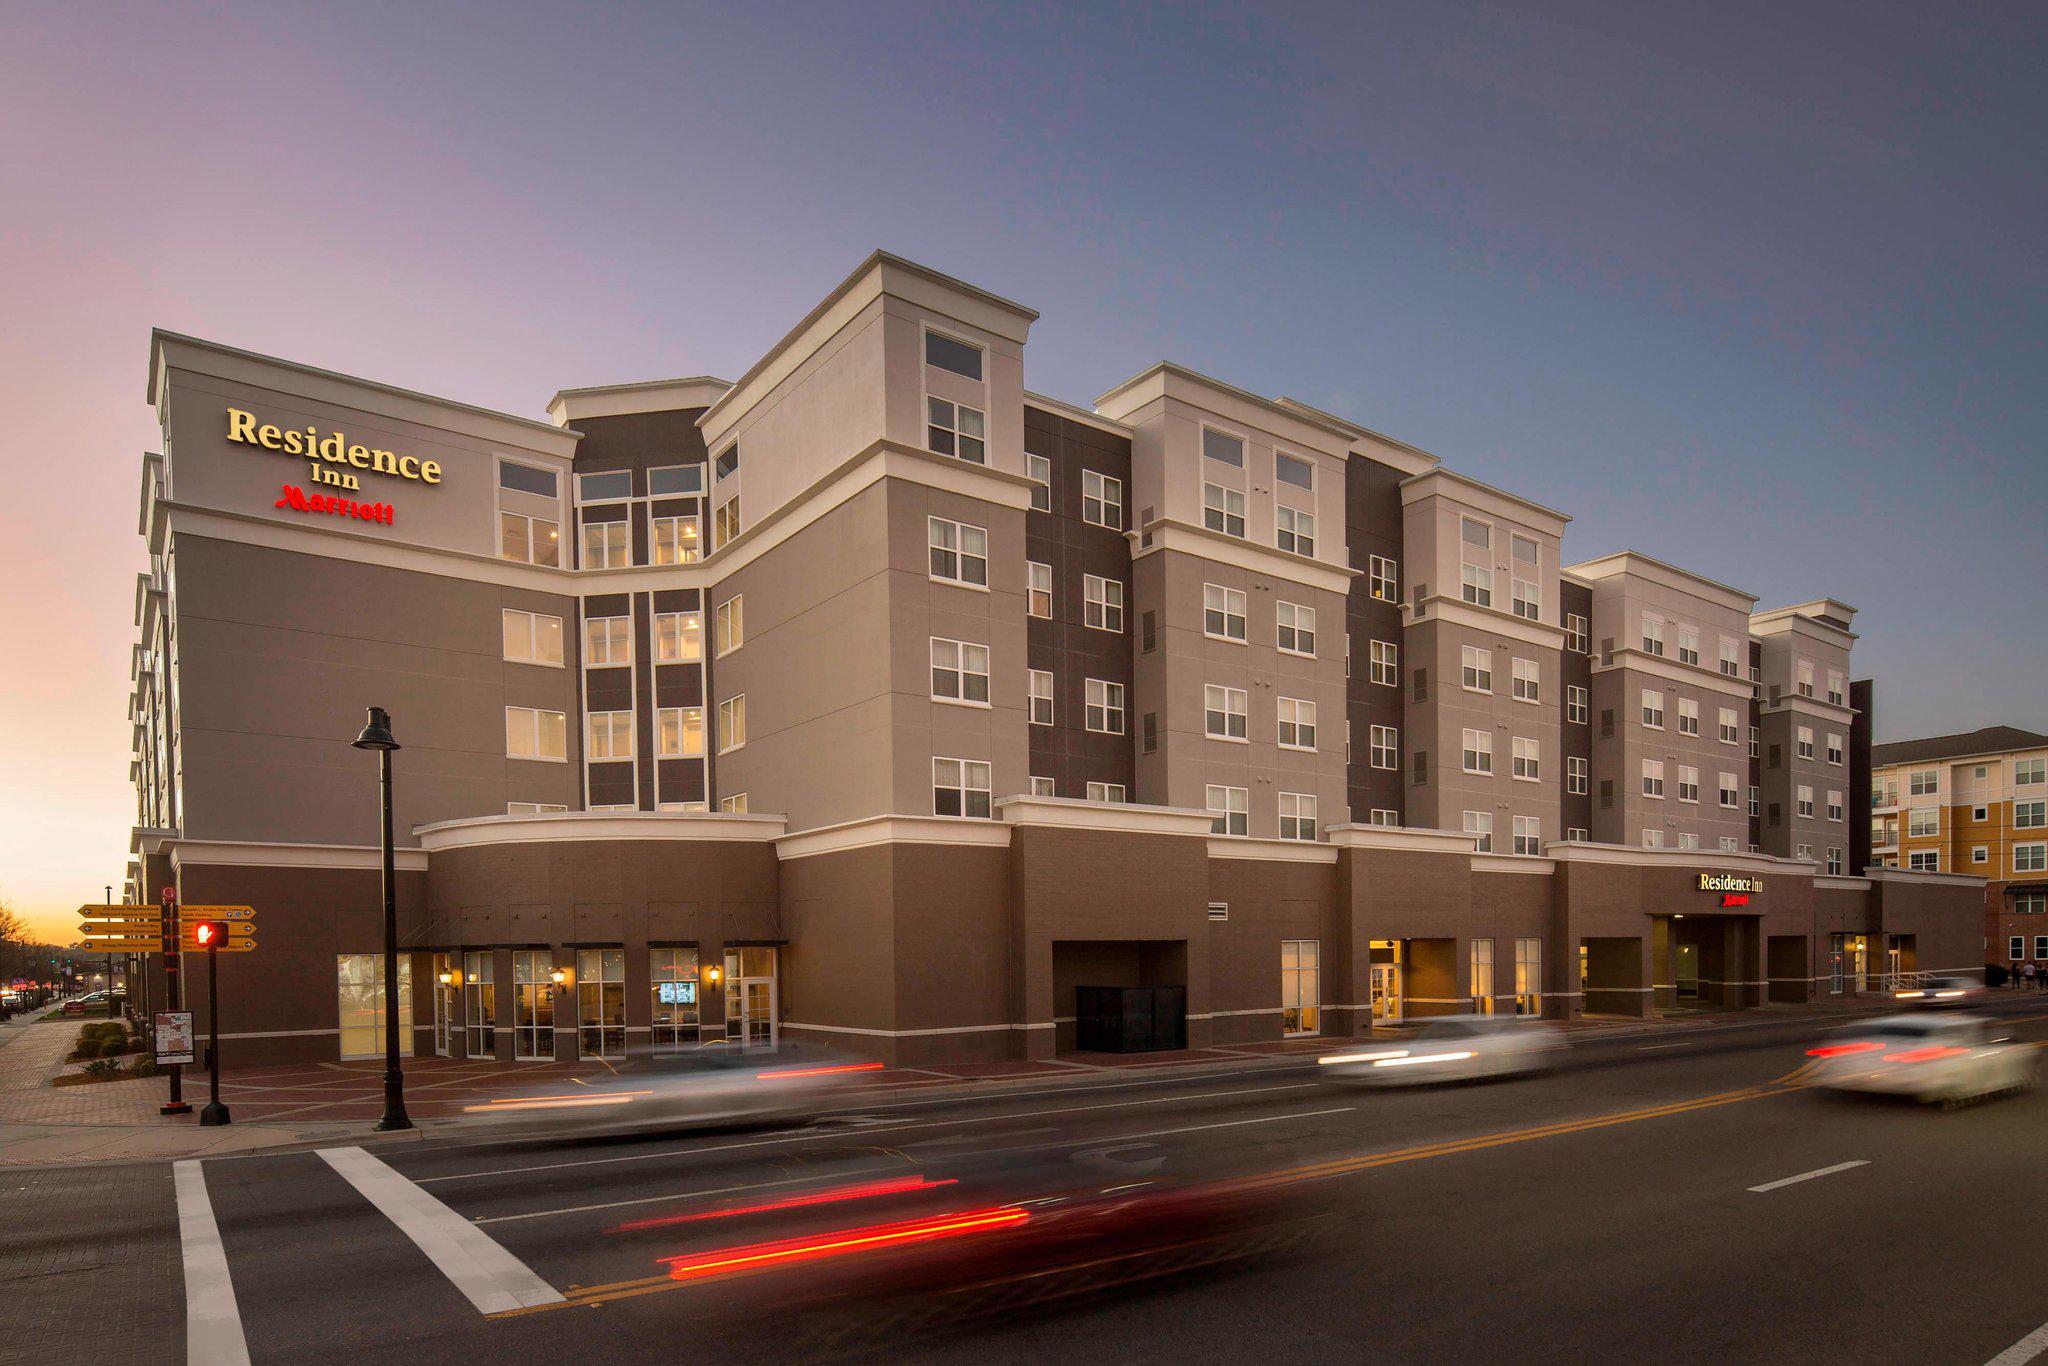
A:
<point x="882" y="701"/>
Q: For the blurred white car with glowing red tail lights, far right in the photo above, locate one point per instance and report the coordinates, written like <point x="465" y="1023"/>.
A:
<point x="1928" y="1058"/>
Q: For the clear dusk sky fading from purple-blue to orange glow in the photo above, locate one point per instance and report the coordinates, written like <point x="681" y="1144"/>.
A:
<point x="1756" y="290"/>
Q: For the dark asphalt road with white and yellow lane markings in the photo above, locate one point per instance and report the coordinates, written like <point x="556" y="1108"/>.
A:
<point x="1596" y="1213"/>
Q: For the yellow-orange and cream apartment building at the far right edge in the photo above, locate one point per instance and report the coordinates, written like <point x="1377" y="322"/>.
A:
<point x="1973" y="804"/>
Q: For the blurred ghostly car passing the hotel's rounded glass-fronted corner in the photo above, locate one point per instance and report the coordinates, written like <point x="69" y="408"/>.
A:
<point x="679" y="1091"/>
